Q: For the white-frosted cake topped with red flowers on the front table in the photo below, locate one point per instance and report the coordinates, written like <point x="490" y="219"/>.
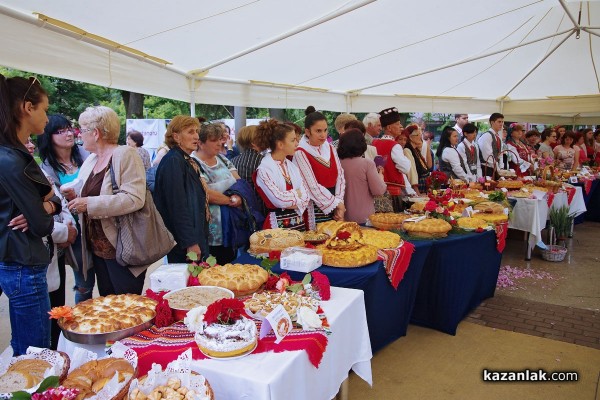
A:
<point x="223" y="330"/>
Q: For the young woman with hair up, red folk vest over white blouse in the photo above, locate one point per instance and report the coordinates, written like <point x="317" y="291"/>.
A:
<point x="321" y="171"/>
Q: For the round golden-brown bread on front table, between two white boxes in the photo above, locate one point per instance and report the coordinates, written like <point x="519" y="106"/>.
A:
<point x="241" y="279"/>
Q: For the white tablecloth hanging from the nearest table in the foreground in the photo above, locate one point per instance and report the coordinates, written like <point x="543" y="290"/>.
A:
<point x="290" y="375"/>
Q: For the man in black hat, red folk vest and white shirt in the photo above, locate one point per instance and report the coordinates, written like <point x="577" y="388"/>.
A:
<point x="396" y="163"/>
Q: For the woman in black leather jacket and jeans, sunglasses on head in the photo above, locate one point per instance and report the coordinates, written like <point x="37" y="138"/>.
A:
<point x="27" y="203"/>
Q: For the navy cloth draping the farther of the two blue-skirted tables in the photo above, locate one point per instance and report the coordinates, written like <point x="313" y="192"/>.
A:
<point x="460" y="272"/>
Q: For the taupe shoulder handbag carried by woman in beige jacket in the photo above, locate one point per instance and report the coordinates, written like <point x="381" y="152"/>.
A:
<point x="142" y="237"/>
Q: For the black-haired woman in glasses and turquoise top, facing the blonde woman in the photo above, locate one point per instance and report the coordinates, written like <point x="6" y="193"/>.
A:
<point x="61" y="160"/>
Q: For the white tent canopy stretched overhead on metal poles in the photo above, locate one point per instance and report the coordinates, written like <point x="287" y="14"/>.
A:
<point x="520" y="57"/>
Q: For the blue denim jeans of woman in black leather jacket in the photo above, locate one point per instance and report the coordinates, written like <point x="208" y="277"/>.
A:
<point x="28" y="304"/>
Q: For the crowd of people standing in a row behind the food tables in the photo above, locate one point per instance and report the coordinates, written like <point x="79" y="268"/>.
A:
<point x="278" y="175"/>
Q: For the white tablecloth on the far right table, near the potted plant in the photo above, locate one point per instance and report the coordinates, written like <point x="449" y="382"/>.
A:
<point x="530" y="215"/>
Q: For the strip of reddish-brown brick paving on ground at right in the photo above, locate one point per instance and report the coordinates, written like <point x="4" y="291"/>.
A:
<point x="566" y="324"/>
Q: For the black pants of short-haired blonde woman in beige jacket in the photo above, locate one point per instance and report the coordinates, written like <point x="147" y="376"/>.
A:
<point x="113" y="278"/>
